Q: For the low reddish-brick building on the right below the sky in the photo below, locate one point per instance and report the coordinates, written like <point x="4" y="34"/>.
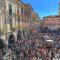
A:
<point x="52" y="22"/>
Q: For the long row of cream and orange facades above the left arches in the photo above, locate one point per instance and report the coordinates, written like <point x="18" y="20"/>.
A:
<point x="14" y="16"/>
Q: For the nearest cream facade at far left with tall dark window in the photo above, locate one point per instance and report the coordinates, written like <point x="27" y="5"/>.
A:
<point x="7" y="16"/>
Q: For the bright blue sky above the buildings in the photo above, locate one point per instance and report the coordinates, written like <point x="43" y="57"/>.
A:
<point x="44" y="7"/>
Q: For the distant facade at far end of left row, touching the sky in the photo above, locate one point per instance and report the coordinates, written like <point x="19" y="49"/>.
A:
<point x="35" y="20"/>
